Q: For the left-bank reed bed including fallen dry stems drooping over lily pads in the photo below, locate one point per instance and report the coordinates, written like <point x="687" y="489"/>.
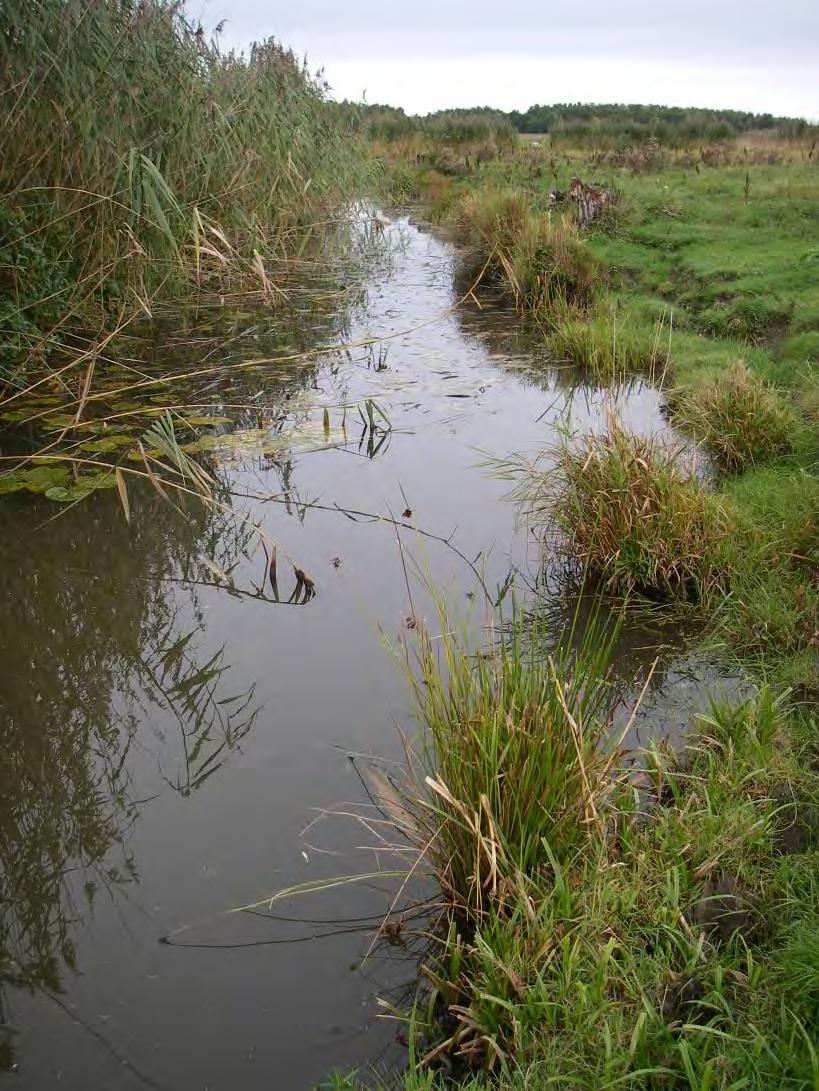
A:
<point x="144" y="170"/>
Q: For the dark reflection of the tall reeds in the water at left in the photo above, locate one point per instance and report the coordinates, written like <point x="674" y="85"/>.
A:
<point x="87" y="662"/>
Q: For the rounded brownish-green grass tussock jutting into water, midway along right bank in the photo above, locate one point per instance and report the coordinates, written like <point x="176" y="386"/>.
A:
<point x="631" y="515"/>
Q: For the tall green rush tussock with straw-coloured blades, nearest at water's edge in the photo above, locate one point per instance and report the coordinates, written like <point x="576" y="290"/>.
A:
<point x="513" y="756"/>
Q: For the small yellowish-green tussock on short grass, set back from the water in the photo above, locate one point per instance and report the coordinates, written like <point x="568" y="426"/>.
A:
<point x="741" y="421"/>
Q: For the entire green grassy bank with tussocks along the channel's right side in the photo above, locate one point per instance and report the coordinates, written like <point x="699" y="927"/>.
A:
<point x="612" y="929"/>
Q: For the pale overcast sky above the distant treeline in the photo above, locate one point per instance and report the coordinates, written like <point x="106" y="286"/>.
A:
<point x="426" y="55"/>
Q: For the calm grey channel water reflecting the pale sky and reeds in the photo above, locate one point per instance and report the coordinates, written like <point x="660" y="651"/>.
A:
<point x="184" y="697"/>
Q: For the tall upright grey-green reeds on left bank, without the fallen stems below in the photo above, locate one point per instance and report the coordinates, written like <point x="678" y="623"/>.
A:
<point x="139" y="162"/>
